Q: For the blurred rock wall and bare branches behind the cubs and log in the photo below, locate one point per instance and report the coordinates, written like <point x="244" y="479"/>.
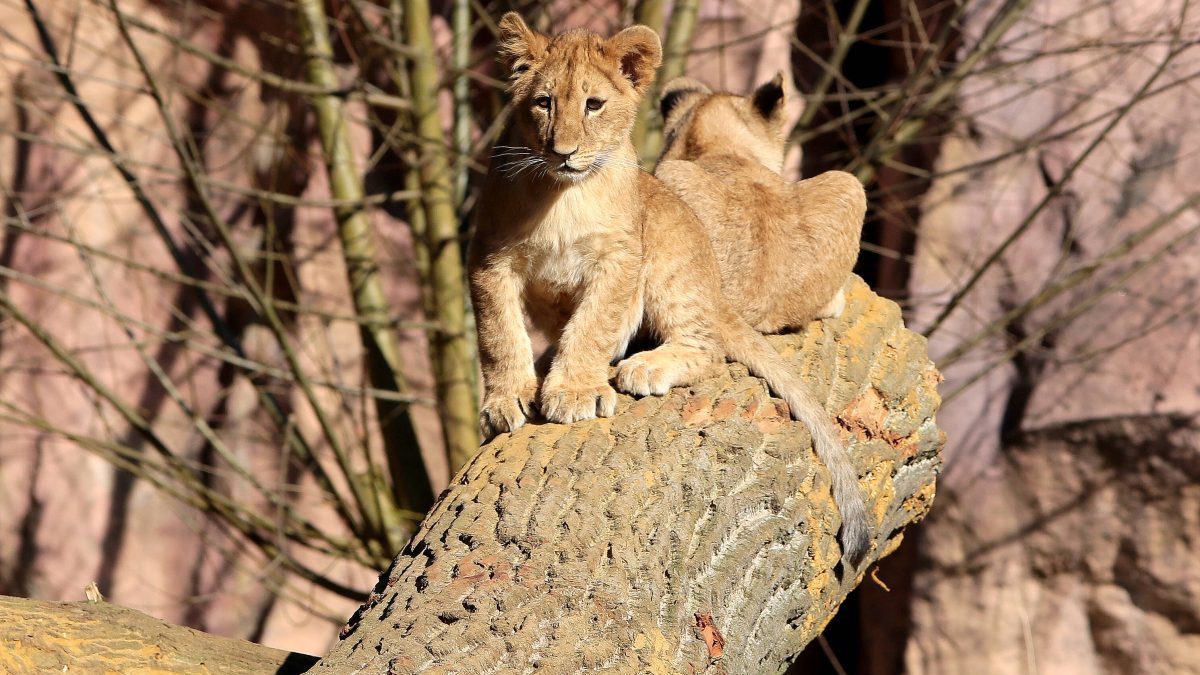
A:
<point x="237" y="363"/>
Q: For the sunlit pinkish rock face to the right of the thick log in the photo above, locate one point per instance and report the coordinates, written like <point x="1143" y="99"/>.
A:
<point x="1065" y="536"/>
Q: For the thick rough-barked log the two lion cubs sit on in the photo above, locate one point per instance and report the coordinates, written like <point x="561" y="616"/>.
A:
<point x="689" y="534"/>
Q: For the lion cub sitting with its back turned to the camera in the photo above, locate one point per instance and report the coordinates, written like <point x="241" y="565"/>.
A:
<point x="724" y="156"/>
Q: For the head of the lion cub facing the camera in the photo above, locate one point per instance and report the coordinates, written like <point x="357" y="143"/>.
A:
<point x="575" y="97"/>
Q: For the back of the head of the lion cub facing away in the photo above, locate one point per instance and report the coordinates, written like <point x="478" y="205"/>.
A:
<point x="698" y="122"/>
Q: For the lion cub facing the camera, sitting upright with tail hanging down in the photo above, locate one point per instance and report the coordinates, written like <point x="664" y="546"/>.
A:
<point x="572" y="234"/>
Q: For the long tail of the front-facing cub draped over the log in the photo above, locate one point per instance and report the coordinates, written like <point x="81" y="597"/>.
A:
<point x="749" y="348"/>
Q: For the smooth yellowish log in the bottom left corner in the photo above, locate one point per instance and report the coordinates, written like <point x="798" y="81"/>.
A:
<point x="40" y="638"/>
